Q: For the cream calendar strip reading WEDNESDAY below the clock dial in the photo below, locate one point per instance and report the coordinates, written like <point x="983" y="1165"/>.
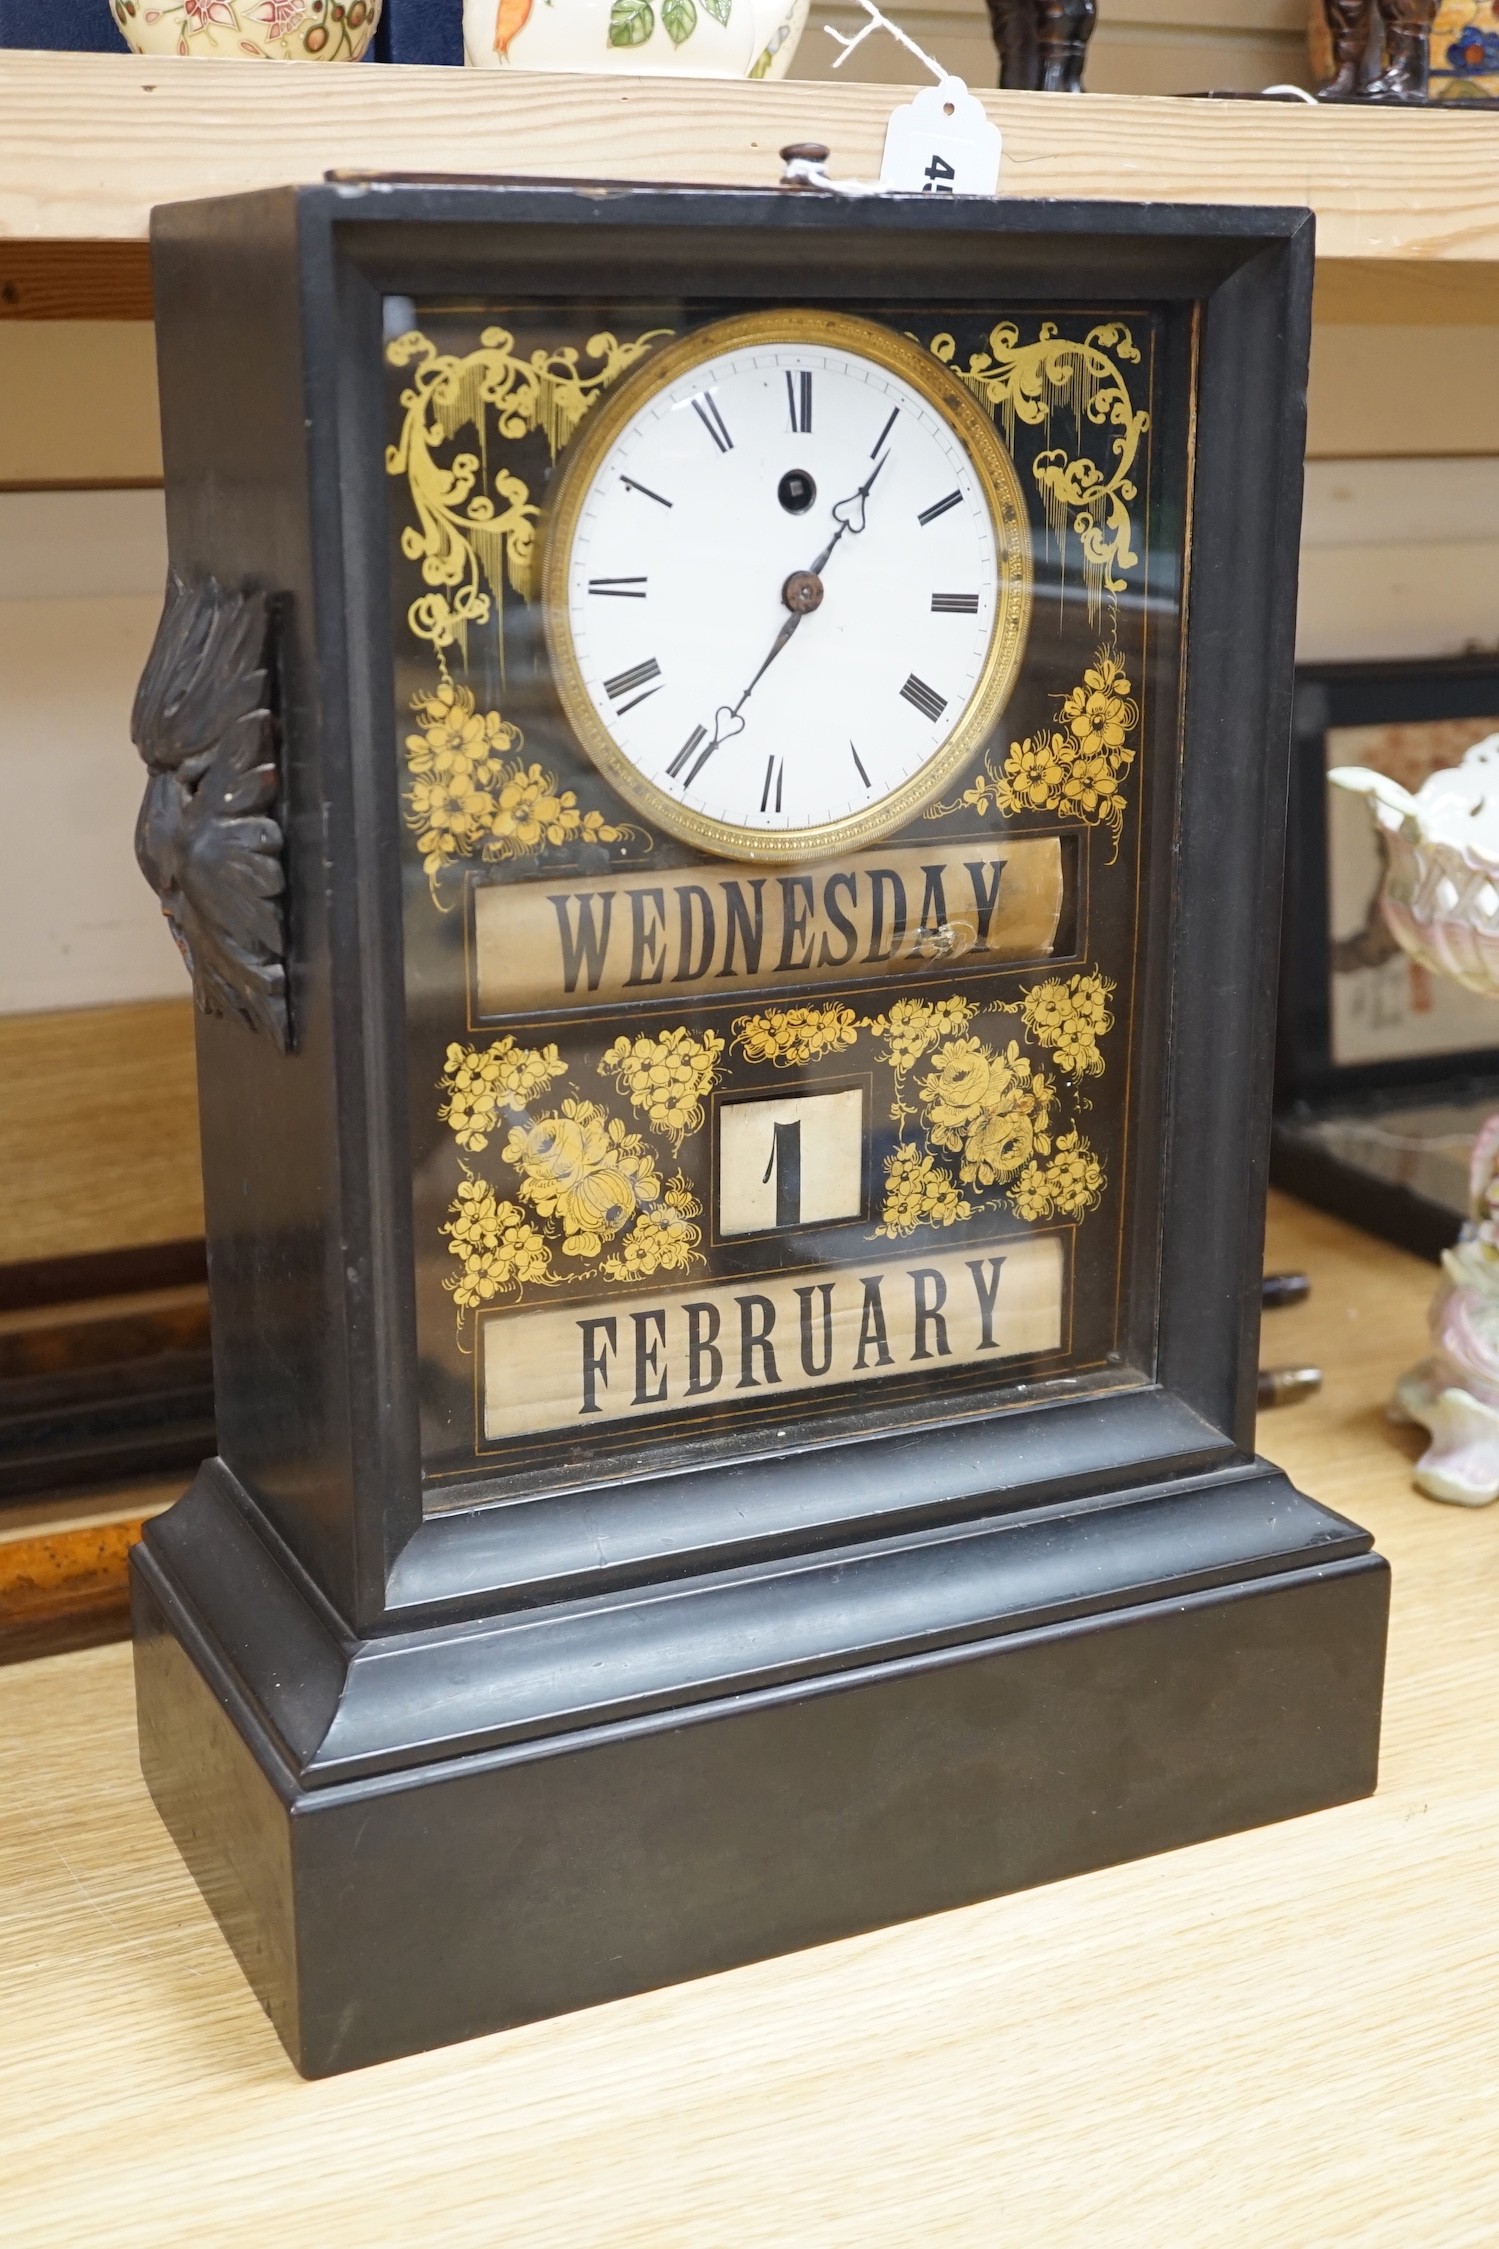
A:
<point x="700" y="930"/>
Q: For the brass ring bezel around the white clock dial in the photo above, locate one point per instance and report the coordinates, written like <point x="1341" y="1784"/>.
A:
<point x="999" y="482"/>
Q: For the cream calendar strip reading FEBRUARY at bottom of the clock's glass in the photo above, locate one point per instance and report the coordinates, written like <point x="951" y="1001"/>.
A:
<point x="574" y="1366"/>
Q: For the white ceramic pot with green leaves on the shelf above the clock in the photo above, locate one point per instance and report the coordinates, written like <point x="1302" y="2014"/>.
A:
<point x="705" y="39"/>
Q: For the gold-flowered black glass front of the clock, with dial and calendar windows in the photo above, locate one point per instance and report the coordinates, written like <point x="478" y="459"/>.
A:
<point x="788" y="719"/>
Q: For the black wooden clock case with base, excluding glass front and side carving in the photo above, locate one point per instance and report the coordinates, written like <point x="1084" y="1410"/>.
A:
<point x="444" y="1776"/>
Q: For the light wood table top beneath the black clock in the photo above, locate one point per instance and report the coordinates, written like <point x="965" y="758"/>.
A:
<point x="1278" y="2041"/>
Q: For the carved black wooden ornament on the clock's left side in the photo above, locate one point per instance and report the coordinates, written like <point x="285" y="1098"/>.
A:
<point x="208" y="838"/>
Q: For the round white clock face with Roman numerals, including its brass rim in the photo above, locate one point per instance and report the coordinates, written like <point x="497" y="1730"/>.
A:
<point x="788" y="584"/>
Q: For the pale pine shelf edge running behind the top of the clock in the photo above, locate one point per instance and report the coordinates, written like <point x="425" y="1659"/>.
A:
<point x="91" y="143"/>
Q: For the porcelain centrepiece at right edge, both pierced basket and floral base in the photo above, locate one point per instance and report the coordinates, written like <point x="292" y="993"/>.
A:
<point x="1442" y="903"/>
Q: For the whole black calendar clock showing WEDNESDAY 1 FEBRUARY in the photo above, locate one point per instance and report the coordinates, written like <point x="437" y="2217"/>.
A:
<point x="718" y="766"/>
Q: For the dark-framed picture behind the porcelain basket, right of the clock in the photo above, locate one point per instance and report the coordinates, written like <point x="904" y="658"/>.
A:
<point x="1383" y="1072"/>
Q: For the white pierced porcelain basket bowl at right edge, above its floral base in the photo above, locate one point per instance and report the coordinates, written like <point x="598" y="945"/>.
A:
<point x="1442" y="878"/>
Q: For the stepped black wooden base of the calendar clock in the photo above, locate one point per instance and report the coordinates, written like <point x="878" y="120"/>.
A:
<point x="664" y="1787"/>
